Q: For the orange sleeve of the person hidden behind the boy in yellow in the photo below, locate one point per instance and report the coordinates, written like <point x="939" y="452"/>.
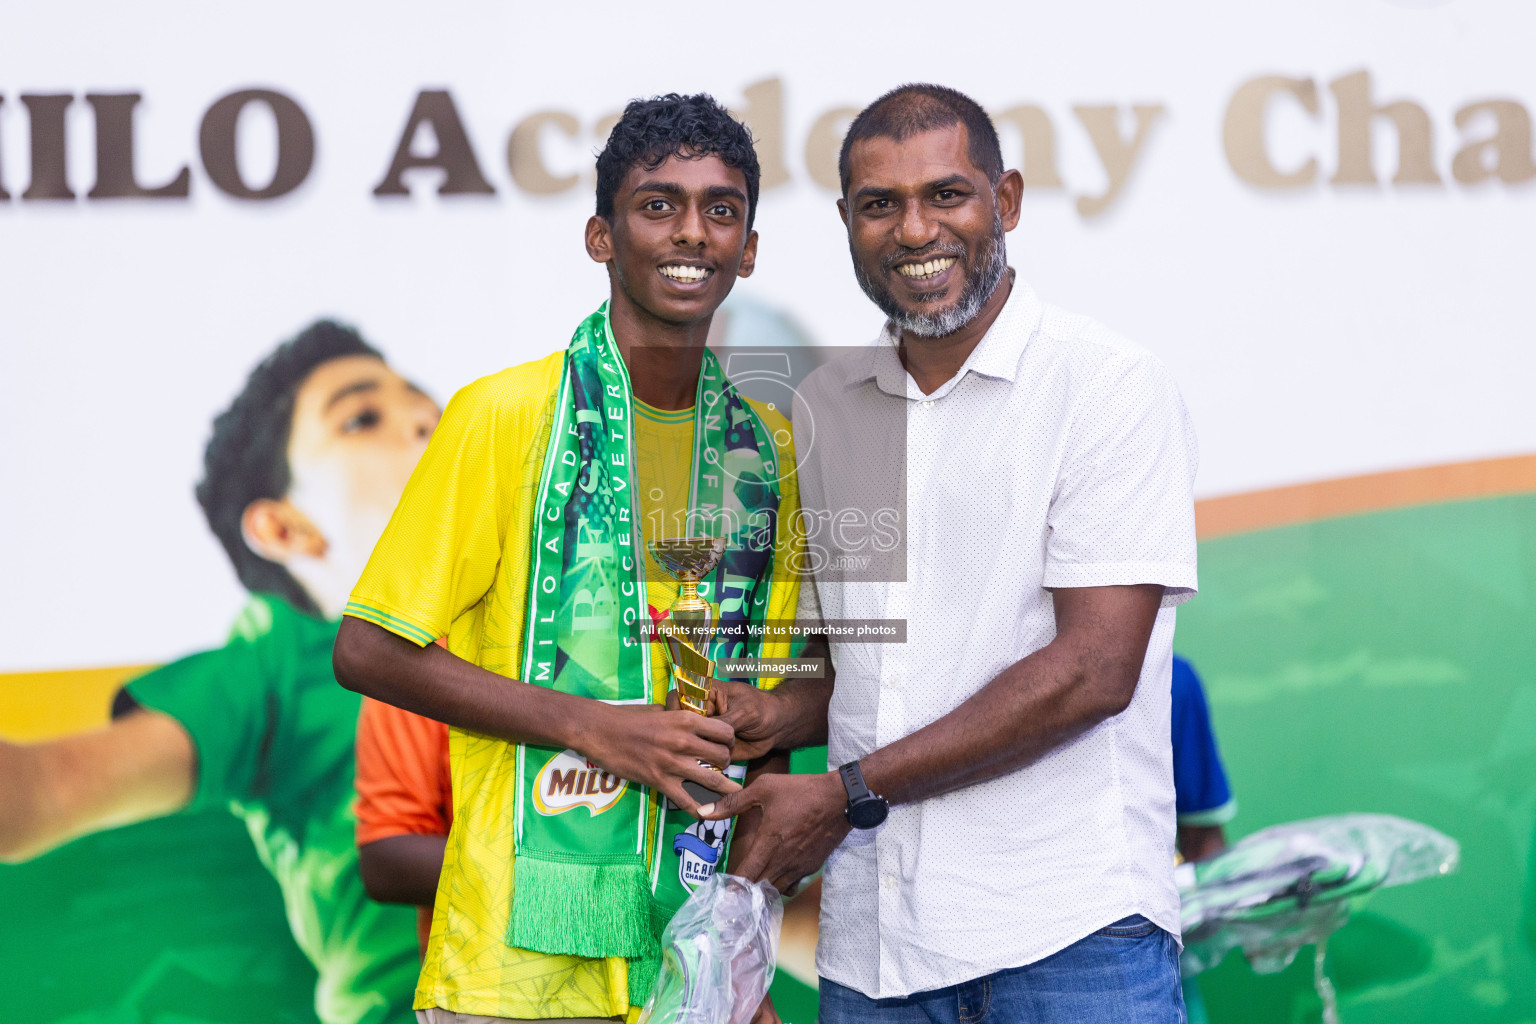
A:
<point x="403" y="767"/>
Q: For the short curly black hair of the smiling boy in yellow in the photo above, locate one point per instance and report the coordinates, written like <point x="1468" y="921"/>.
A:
<point x="650" y="131"/>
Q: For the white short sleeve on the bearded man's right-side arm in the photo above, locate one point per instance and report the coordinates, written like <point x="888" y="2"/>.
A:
<point x="1125" y="510"/>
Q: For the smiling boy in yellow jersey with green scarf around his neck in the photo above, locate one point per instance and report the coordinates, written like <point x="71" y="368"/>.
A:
<point x="523" y="538"/>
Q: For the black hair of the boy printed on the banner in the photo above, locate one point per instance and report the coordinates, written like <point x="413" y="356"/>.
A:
<point x="247" y="458"/>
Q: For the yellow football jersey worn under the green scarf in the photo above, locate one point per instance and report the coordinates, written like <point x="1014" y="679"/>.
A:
<point x="455" y="561"/>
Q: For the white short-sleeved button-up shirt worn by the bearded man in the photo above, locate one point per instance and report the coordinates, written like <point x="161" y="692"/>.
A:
<point x="1061" y="455"/>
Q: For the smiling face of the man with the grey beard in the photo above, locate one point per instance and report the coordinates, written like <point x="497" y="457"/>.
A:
<point x="925" y="230"/>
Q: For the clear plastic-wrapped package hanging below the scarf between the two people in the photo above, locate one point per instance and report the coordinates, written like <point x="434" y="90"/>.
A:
<point x="718" y="954"/>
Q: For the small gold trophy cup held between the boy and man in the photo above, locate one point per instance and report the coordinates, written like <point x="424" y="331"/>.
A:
<point x="689" y="627"/>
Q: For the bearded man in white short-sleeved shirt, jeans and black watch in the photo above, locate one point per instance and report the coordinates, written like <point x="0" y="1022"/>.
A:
<point x="999" y="837"/>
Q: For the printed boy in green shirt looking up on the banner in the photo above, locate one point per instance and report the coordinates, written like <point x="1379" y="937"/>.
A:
<point x="300" y="477"/>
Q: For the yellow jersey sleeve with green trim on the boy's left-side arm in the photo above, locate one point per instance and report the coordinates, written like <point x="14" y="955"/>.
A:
<point x="440" y="552"/>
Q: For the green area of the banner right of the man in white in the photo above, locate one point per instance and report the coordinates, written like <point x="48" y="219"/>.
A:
<point x="1385" y="662"/>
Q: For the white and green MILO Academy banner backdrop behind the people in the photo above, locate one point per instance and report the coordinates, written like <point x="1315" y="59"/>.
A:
<point x="1317" y="214"/>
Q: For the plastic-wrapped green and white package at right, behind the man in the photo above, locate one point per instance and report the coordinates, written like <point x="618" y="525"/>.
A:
<point x="1296" y="885"/>
